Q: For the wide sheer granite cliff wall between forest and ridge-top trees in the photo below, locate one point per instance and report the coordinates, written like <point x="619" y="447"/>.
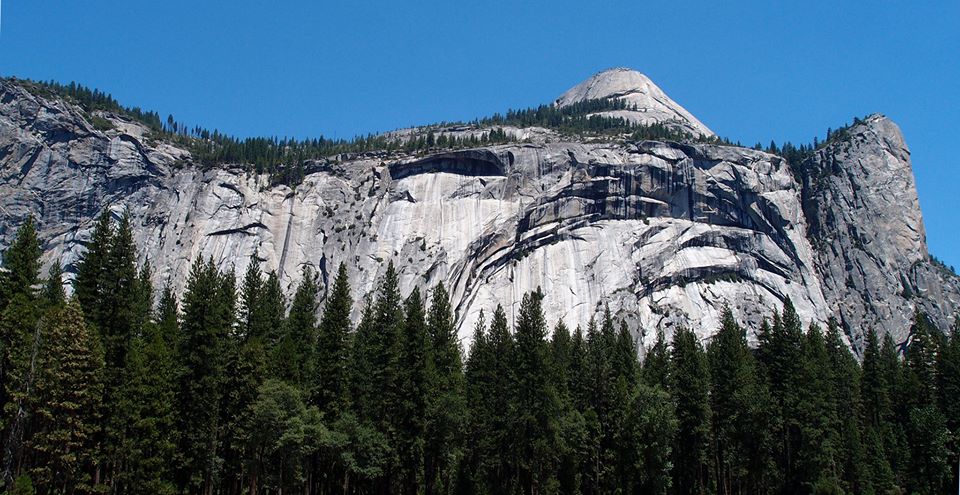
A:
<point x="666" y="234"/>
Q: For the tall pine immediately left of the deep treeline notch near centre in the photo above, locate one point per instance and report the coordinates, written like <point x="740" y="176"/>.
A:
<point x="446" y="399"/>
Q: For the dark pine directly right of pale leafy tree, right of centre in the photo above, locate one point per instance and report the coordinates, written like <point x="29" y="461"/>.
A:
<point x="690" y="387"/>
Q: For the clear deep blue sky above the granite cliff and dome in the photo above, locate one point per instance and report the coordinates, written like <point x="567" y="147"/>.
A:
<point x="752" y="71"/>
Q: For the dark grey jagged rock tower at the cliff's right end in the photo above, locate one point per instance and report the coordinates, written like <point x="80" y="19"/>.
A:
<point x="865" y="224"/>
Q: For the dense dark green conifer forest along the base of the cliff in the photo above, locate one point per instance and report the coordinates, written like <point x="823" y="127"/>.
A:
<point x="229" y="388"/>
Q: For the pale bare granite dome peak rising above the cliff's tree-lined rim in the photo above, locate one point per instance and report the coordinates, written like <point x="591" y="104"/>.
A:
<point x="653" y="106"/>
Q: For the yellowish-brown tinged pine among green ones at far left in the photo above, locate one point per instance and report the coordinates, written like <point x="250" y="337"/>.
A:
<point x="68" y="393"/>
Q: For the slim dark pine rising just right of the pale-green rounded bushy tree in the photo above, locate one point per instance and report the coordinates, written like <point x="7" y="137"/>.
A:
<point x="330" y="391"/>
